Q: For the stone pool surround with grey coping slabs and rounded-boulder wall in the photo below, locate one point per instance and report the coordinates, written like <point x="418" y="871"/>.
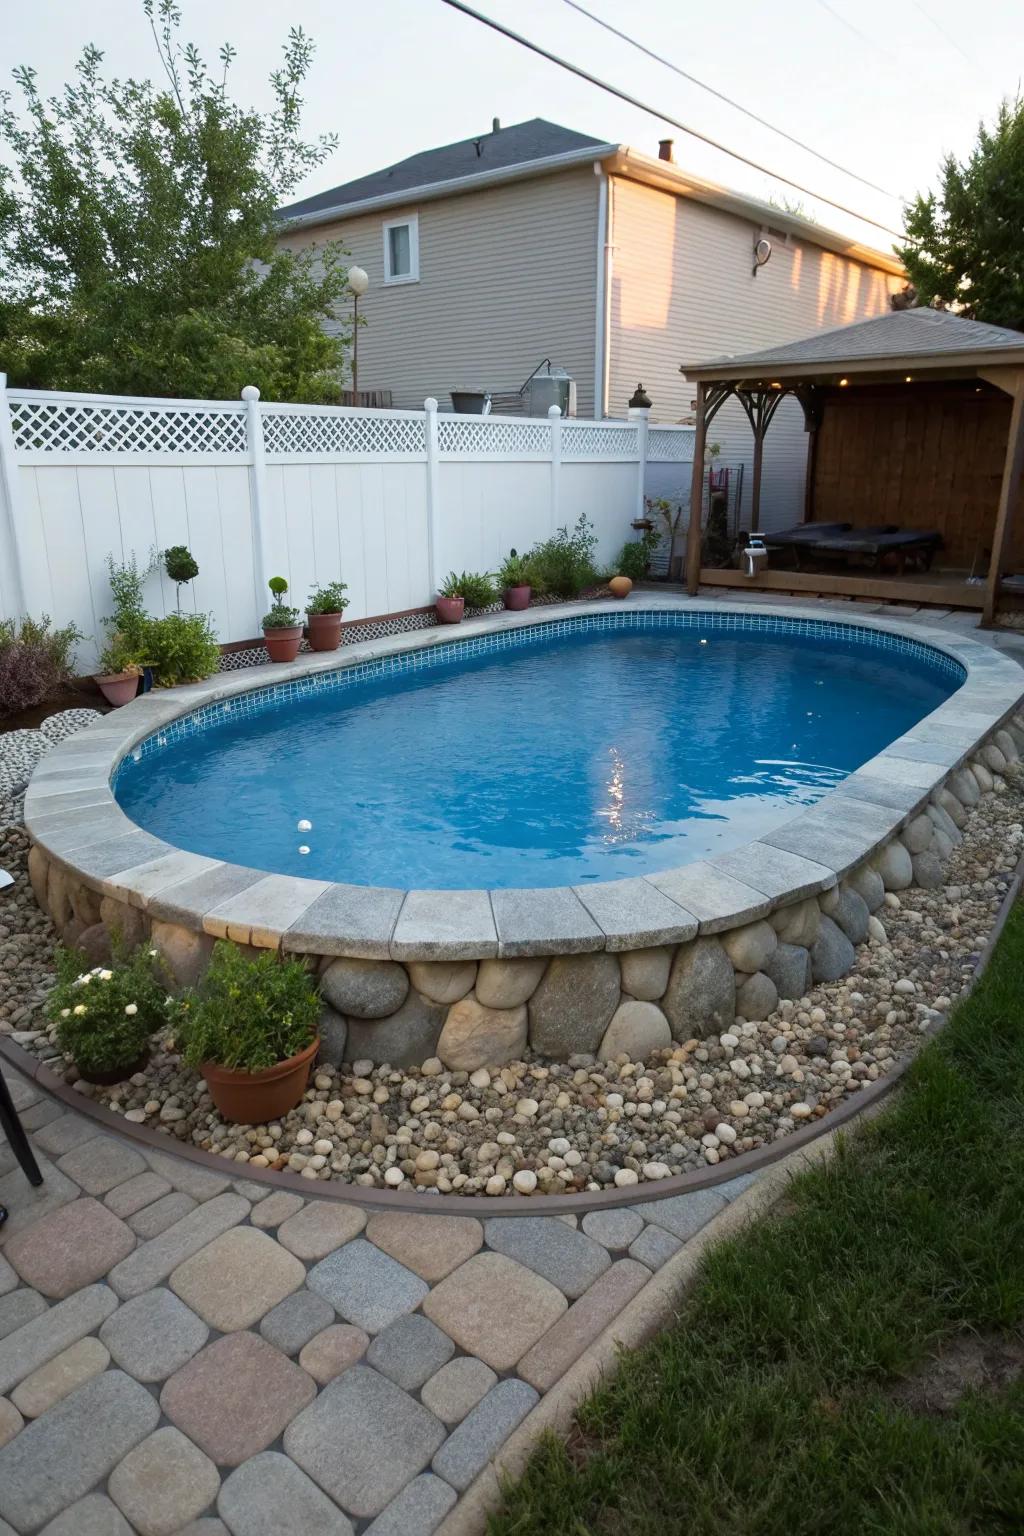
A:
<point x="474" y="978"/>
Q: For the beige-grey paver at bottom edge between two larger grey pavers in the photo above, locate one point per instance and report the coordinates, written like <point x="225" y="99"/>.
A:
<point x="164" y="1483"/>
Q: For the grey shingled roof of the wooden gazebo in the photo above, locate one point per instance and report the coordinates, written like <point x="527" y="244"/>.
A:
<point x="900" y="334"/>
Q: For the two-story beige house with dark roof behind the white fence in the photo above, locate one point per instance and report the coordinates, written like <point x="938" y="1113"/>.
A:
<point x="537" y="242"/>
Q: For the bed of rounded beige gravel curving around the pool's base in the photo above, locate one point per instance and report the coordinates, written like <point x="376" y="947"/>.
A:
<point x="549" y="1127"/>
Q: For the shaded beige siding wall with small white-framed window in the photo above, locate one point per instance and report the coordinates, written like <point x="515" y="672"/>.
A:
<point x="507" y="277"/>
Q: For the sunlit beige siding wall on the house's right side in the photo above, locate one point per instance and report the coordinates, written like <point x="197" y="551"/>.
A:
<point x="682" y="290"/>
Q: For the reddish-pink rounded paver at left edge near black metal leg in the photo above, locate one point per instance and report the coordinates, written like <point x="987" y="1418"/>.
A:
<point x="70" y="1248"/>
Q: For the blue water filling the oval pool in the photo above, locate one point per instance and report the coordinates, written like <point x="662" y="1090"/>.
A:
<point x="573" y="758"/>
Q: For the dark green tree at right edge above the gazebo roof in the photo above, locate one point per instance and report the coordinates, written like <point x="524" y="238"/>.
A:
<point x="968" y="250"/>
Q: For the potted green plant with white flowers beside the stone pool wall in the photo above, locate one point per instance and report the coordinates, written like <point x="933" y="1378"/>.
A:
<point x="108" y="1016"/>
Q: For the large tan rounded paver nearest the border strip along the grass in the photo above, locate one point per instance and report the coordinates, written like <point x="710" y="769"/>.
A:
<point x="495" y="1309"/>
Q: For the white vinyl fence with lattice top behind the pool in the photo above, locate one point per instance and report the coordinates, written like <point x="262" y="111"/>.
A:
<point x="386" y="502"/>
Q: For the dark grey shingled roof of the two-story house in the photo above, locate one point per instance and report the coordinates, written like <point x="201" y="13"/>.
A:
<point x="497" y="151"/>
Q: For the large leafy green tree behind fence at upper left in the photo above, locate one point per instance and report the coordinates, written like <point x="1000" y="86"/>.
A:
<point x="137" y="234"/>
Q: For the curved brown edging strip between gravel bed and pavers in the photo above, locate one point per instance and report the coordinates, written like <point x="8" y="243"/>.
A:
<point x="423" y="1203"/>
